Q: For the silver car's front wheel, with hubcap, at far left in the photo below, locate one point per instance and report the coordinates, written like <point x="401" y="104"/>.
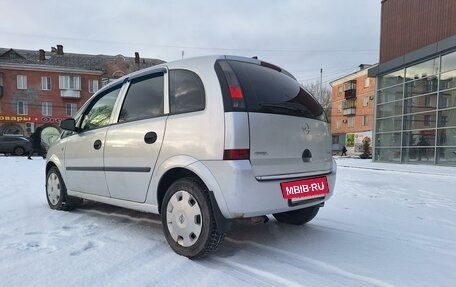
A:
<point x="56" y="191"/>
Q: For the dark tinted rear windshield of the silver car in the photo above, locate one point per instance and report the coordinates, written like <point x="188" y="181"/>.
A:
<point x="267" y="90"/>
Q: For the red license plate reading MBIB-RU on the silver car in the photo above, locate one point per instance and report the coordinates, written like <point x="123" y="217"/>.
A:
<point x="305" y="188"/>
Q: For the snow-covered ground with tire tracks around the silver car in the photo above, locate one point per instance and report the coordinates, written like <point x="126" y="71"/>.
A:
<point x="387" y="225"/>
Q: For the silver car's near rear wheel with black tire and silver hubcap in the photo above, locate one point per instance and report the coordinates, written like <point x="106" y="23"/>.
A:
<point x="186" y="199"/>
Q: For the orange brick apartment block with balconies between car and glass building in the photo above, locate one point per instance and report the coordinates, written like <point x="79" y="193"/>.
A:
<point x="352" y="111"/>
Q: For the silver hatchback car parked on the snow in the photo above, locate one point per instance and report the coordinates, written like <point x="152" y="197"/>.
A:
<point x="200" y="141"/>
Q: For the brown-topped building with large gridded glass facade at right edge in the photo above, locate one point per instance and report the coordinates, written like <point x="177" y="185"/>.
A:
<point x="415" y="120"/>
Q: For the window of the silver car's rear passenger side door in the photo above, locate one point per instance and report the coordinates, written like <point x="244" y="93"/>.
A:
<point x="144" y="99"/>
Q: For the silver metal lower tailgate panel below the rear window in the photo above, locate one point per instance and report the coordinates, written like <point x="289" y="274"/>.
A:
<point x="279" y="142"/>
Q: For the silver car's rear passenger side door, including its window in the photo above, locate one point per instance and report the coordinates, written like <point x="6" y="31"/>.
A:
<point x="134" y="142"/>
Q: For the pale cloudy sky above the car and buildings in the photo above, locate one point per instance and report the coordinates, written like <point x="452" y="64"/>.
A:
<point x="302" y="36"/>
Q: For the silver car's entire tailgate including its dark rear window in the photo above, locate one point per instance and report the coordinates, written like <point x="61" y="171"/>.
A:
<point x="289" y="132"/>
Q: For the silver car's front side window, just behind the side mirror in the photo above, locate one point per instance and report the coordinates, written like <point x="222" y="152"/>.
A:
<point x="99" y="111"/>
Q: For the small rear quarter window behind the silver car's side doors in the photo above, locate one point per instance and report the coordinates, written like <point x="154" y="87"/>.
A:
<point x="186" y="92"/>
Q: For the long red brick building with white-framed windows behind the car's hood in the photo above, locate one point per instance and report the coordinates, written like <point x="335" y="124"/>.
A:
<point x="40" y="88"/>
